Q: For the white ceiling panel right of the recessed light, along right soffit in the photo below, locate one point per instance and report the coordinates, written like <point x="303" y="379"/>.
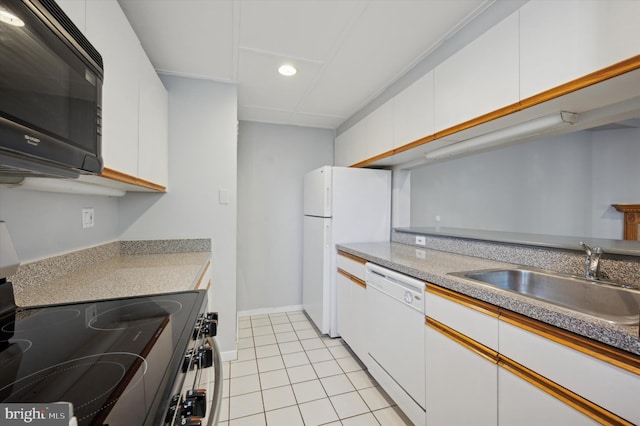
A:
<point x="386" y="41"/>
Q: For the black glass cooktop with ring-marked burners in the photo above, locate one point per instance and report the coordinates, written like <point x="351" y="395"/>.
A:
<point x="114" y="360"/>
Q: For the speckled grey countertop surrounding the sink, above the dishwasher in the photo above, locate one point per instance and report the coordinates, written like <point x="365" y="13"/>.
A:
<point x="433" y="266"/>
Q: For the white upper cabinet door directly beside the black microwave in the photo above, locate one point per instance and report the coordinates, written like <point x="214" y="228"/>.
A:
<point x="109" y="31"/>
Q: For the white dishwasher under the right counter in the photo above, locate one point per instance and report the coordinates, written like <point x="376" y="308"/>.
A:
<point x="395" y="337"/>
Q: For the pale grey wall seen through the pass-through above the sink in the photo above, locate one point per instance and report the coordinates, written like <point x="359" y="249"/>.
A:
<point x="559" y="186"/>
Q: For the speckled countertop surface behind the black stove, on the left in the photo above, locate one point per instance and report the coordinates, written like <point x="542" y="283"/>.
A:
<point x="122" y="275"/>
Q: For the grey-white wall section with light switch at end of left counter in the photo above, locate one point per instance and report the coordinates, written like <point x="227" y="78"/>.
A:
<point x="202" y="161"/>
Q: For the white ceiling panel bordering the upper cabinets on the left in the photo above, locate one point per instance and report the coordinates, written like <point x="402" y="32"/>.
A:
<point x="190" y="37"/>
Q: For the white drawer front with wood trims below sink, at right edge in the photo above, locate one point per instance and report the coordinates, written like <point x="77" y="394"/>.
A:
<point x="602" y="381"/>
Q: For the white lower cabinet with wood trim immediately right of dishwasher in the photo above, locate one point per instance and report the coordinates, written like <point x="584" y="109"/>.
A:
<point x="461" y="340"/>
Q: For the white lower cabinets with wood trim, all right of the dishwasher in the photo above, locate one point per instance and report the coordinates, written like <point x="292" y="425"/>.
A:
<point x="535" y="374"/>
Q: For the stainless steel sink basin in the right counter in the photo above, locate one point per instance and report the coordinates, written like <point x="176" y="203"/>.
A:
<point x="598" y="299"/>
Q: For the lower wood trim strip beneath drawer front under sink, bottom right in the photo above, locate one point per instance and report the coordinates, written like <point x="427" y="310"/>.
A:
<point x="579" y="403"/>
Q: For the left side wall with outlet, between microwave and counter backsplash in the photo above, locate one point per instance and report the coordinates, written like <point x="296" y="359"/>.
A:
<point x="45" y="224"/>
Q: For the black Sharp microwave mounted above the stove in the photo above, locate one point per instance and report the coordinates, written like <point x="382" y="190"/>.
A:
<point x="50" y="93"/>
